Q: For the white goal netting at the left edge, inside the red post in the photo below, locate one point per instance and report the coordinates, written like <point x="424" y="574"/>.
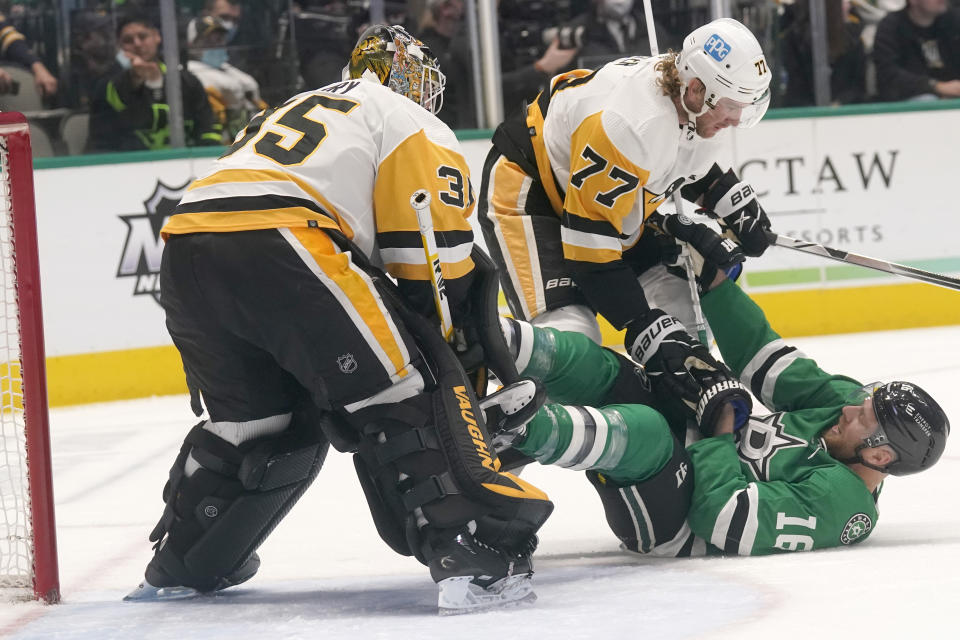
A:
<point x="16" y="547"/>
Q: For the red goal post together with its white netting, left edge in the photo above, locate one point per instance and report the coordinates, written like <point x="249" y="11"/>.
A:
<point x="28" y="557"/>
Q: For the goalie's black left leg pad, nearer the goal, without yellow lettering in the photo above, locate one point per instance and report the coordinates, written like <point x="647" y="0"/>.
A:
<point x="224" y="497"/>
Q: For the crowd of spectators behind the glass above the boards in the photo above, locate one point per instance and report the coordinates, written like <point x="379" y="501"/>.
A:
<point x="239" y="56"/>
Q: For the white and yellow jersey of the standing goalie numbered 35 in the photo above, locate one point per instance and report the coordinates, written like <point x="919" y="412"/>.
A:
<point x="345" y="157"/>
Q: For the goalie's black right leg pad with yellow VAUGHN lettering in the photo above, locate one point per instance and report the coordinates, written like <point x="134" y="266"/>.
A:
<point x="431" y="464"/>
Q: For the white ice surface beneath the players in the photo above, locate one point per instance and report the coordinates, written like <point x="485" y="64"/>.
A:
<point x="326" y="574"/>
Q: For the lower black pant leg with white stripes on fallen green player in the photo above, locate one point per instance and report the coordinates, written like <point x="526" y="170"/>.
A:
<point x="650" y="516"/>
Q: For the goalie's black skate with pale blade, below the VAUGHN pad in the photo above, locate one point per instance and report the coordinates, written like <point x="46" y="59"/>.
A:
<point x="473" y="576"/>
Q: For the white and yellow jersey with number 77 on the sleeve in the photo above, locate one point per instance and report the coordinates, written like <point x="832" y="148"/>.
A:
<point x="617" y="149"/>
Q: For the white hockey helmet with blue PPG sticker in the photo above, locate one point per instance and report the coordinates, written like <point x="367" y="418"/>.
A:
<point x="726" y="57"/>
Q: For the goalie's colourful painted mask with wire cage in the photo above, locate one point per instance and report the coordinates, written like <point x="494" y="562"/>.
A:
<point x="395" y="59"/>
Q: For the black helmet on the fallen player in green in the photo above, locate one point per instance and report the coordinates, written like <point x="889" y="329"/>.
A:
<point x="911" y="423"/>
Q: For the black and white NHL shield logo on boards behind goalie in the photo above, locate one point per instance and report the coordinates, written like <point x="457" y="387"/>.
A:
<point x="143" y="247"/>
